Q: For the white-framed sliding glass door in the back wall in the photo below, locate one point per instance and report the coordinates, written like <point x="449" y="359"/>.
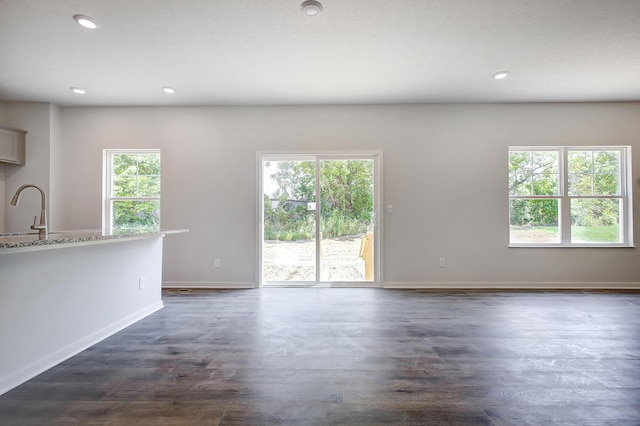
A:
<point x="331" y="242"/>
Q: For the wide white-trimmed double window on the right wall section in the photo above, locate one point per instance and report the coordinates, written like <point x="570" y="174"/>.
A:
<point x="570" y="196"/>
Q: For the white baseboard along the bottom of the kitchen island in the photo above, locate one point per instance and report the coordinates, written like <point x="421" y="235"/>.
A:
<point x="30" y="371"/>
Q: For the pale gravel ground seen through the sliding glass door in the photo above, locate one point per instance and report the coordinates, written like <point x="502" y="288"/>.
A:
<point x="295" y="260"/>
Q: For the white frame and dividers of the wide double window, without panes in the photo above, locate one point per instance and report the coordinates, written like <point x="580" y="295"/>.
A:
<point x="564" y="199"/>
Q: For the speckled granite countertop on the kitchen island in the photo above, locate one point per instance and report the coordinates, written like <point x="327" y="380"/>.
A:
<point x="27" y="241"/>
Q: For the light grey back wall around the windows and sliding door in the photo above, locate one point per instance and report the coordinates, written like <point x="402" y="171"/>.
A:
<point x="444" y="171"/>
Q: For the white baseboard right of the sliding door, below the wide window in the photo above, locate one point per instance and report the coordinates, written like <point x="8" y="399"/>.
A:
<point x="514" y="285"/>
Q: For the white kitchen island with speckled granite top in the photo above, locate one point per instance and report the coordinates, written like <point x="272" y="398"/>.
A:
<point x="64" y="292"/>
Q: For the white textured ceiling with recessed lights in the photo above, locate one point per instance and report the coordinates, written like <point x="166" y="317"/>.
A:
<point x="267" y="52"/>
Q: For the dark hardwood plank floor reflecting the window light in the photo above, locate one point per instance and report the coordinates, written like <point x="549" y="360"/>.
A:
<point x="354" y="357"/>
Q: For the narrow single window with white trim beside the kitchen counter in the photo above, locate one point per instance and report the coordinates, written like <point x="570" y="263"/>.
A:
<point x="131" y="190"/>
